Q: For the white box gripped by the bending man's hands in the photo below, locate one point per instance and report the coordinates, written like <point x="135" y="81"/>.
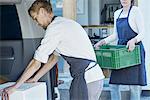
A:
<point x="28" y="91"/>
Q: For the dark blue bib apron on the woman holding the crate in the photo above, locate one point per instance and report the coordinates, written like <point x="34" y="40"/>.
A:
<point x="134" y="75"/>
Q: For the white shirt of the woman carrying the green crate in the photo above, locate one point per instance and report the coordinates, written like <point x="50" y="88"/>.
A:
<point x="136" y="22"/>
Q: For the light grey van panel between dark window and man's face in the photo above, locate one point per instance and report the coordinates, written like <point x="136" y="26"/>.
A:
<point x="29" y="28"/>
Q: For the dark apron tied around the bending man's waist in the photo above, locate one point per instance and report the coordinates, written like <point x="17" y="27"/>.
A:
<point x="78" y="89"/>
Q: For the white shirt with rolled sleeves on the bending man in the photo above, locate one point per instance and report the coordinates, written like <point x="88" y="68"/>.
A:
<point x="68" y="38"/>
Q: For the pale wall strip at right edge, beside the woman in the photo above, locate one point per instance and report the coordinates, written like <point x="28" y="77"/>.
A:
<point x="144" y="6"/>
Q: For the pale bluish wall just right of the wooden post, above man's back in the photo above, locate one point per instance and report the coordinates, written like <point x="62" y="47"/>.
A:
<point x="91" y="11"/>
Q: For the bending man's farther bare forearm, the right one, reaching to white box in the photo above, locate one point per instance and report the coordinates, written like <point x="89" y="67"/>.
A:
<point x="48" y="66"/>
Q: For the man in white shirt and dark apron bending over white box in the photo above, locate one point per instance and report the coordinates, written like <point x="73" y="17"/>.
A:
<point x="66" y="38"/>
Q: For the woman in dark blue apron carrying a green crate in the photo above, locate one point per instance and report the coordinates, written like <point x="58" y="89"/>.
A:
<point x="129" y="30"/>
